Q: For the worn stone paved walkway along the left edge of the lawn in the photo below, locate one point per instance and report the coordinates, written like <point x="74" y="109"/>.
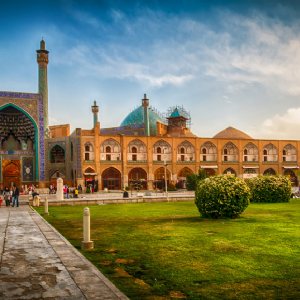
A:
<point x="36" y="262"/>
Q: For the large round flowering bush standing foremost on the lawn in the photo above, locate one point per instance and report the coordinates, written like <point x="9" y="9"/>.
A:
<point x="223" y="196"/>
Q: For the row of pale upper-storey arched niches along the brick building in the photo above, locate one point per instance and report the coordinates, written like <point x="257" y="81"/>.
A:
<point x="110" y="150"/>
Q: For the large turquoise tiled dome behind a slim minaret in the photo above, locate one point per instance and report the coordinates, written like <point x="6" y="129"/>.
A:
<point x="136" y="118"/>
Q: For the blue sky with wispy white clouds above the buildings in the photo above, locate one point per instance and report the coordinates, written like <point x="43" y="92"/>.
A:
<point x="228" y="63"/>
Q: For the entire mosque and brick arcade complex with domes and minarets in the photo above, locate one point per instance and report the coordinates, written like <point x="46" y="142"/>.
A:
<point x="146" y="149"/>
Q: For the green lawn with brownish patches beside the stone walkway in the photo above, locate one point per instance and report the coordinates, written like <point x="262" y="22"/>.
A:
<point x="166" y="251"/>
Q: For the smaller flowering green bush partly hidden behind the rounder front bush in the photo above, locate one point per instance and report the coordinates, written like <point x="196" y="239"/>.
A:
<point x="270" y="189"/>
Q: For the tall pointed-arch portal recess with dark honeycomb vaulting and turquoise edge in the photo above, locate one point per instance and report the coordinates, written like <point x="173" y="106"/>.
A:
<point x="18" y="147"/>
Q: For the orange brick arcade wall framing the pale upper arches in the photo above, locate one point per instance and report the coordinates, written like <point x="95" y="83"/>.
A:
<point x="174" y="164"/>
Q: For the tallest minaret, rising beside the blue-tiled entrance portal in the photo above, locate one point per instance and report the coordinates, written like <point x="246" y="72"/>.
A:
<point x="42" y="60"/>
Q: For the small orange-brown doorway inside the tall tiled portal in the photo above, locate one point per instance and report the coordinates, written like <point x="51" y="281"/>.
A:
<point x="11" y="173"/>
